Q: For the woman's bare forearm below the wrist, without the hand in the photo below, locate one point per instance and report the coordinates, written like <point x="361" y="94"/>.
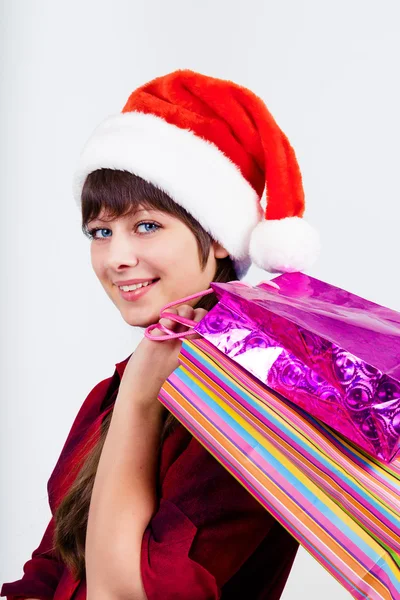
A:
<point x="123" y="499"/>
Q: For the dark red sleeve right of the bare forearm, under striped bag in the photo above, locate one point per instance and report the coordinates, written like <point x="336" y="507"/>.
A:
<point x="206" y="527"/>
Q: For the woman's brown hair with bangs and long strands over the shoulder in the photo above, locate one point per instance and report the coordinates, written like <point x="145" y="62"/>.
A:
<point x="118" y="193"/>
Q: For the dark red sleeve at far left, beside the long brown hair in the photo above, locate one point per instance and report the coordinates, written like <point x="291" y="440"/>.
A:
<point x="43" y="571"/>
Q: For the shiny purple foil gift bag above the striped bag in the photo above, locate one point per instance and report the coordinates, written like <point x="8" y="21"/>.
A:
<point x="330" y="352"/>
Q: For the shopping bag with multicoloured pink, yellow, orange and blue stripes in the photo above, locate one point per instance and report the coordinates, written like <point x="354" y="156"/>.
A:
<point x="340" y="505"/>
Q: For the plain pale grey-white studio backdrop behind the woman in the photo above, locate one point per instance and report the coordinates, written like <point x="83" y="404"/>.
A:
<point x="328" y="71"/>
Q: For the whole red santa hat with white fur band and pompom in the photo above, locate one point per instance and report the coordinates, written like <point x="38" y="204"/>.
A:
<point x="213" y="147"/>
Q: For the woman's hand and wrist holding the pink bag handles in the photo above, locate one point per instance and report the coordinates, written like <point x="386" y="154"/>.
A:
<point x="153" y="362"/>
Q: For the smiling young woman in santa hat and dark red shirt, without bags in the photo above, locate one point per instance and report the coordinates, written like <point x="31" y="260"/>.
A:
<point x="170" y="192"/>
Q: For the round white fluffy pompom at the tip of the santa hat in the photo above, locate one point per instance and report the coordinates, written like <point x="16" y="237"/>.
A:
<point x="284" y="245"/>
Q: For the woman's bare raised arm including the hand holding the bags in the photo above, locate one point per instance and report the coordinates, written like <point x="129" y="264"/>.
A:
<point x="124" y="492"/>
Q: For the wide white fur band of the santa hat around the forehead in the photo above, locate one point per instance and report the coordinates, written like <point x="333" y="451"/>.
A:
<point x="193" y="171"/>
